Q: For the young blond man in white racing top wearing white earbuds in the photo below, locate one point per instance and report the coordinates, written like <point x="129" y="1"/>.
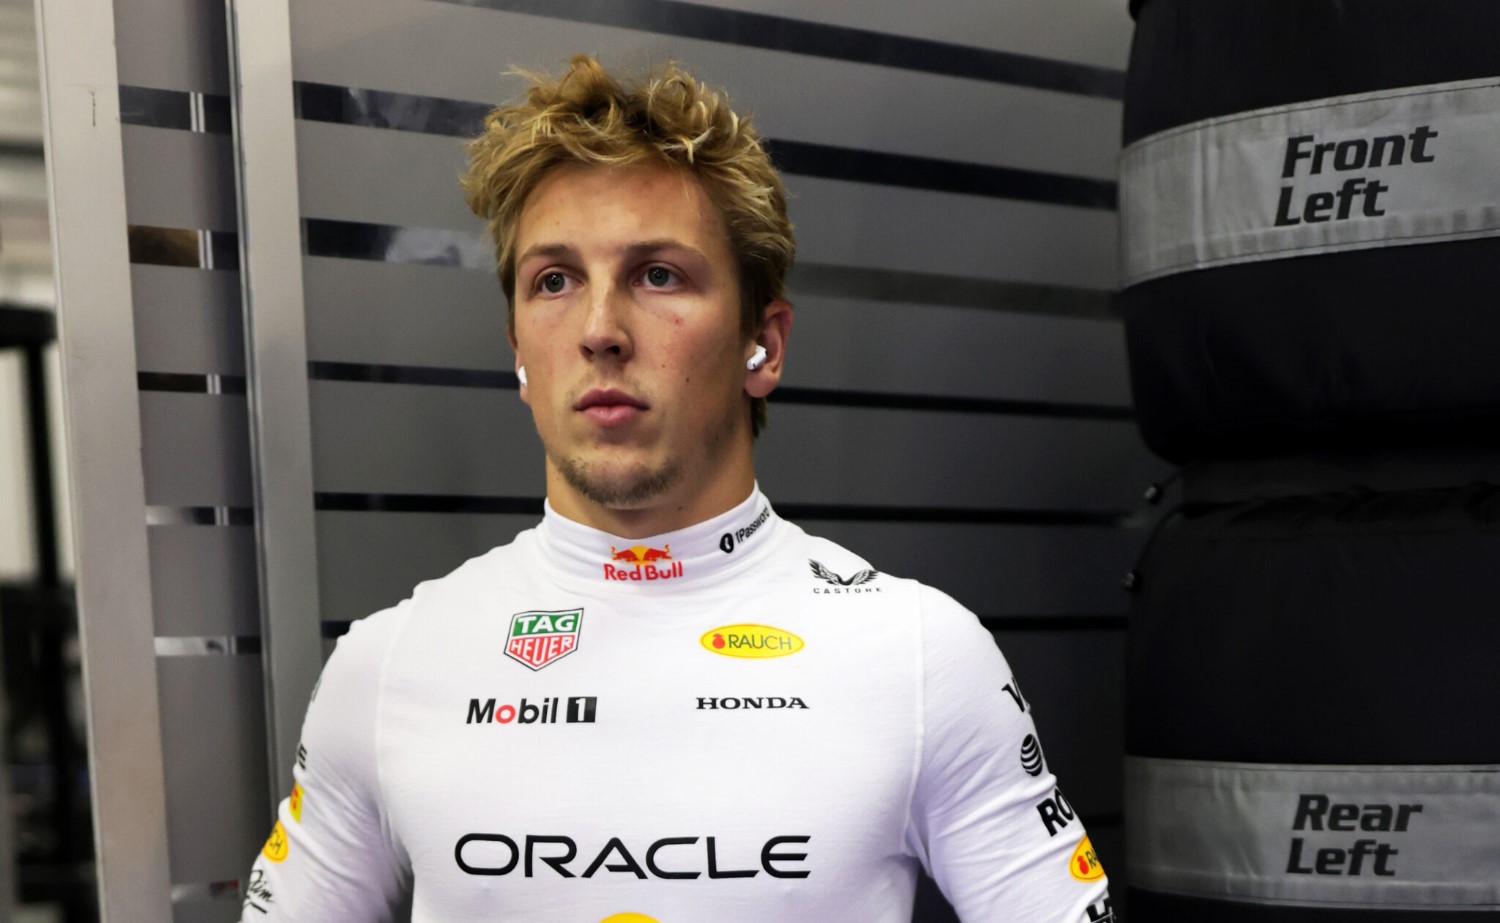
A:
<point x="664" y="703"/>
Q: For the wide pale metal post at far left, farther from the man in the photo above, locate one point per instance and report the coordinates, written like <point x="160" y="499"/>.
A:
<point x="88" y="200"/>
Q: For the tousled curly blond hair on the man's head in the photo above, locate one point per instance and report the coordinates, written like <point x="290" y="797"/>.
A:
<point x="590" y="118"/>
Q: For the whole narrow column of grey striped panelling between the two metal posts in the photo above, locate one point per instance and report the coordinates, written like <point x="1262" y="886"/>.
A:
<point x="179" y="161"/>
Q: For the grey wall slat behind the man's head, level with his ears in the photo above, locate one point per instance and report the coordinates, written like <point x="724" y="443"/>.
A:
<point x="424" y="316"/>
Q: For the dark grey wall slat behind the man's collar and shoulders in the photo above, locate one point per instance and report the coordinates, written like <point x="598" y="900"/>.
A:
<point x="370" y="562"/>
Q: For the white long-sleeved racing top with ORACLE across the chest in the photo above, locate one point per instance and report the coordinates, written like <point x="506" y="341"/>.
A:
<point x="736" y="723"/>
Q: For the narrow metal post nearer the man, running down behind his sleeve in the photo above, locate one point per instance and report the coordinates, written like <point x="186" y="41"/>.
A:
<point x="277" y="355"/>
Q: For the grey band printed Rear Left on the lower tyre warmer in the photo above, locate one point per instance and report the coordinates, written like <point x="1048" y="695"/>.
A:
<point x="1346" y="837"/>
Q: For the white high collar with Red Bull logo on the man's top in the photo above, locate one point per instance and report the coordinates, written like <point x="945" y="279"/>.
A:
<point x="673" y="561"/>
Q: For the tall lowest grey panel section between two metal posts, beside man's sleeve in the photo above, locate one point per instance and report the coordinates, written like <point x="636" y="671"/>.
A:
<point x="214" y="745"/>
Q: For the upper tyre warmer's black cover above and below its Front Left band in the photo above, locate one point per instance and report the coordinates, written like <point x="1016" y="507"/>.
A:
<point x="1312" y="350"/>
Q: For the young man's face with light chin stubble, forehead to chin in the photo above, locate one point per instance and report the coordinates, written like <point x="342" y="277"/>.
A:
<point x="628" y="322"/>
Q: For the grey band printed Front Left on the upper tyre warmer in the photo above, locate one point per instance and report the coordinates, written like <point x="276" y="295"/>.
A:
<point x="1387" y="169"/>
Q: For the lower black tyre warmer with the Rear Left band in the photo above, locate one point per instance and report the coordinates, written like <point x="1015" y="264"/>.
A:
<point x="1316" y="640"/>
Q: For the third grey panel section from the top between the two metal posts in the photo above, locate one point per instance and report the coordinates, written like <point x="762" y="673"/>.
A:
<point x="188" y="320"/>
